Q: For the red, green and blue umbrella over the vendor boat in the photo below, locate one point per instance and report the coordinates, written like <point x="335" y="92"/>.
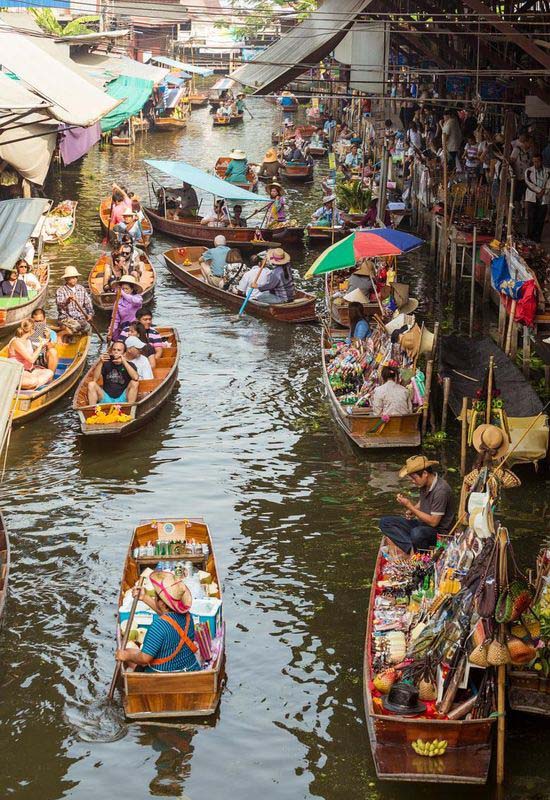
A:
<point x="372" y="243"/>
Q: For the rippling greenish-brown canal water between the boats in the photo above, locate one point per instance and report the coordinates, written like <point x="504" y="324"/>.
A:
<point x="247" y="441"/>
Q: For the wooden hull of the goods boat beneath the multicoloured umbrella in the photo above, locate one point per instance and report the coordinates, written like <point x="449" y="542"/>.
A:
<point x="364" y="428"/>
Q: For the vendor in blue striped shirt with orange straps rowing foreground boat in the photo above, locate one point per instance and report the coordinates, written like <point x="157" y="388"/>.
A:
<point x="168" y="645"/>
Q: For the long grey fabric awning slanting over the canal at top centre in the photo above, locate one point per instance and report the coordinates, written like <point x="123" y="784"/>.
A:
<point x="302" y="47"/>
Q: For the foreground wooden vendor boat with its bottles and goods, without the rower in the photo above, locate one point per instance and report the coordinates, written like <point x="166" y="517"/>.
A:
<point x="160" y="695"/>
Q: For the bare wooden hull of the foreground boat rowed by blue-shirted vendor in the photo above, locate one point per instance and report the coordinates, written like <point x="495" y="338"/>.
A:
<point x="148" y="695"/>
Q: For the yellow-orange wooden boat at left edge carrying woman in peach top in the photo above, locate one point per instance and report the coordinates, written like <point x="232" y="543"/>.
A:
<point x="30" y="403"/>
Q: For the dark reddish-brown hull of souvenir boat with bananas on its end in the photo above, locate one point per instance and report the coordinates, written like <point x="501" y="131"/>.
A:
<point x="468" y="755"/>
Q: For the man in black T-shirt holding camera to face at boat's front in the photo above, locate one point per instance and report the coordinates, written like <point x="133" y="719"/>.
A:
<point x="119" y="376"/>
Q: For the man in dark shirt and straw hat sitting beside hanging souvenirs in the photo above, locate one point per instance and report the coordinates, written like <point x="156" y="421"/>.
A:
<point x="433" y="514"/>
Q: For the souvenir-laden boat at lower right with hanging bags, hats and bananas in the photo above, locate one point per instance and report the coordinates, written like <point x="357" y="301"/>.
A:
<point x="440" y="632"/>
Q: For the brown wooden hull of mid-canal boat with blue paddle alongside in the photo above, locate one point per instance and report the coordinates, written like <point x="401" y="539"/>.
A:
<point x="183" y="264"/>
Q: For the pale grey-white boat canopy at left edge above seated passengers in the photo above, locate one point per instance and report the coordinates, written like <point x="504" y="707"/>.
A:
<point x="18" y="221"/>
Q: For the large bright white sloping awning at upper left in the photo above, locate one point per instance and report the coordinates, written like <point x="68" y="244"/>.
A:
<point x="73" y="99"/>
